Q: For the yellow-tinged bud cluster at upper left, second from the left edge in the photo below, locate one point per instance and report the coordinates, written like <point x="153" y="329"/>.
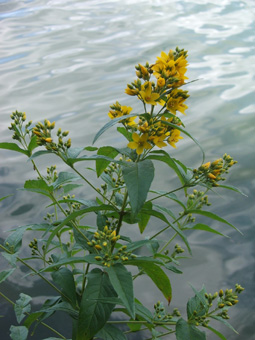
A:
<point x="43" y="133"/>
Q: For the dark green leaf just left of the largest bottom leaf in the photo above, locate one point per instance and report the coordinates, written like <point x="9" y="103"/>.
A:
<point x="65" y="280"/>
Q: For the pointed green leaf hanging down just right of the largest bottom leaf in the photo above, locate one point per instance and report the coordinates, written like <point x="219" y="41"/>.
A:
<point x="121" y="280"/>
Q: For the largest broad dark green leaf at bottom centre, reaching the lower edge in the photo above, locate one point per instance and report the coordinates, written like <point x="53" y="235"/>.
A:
<point x="93" y="314"/>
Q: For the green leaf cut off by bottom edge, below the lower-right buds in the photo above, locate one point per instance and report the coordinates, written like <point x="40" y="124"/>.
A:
<point x="187" y="331"/>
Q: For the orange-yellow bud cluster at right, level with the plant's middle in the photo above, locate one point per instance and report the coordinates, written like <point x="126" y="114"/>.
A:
<point x="211" y="173"/>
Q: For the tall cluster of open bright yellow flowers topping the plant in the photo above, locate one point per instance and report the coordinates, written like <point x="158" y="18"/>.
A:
<point x="161" y="128"/>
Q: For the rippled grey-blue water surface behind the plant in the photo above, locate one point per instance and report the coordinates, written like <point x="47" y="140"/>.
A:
<point x="69" y="60"/>
